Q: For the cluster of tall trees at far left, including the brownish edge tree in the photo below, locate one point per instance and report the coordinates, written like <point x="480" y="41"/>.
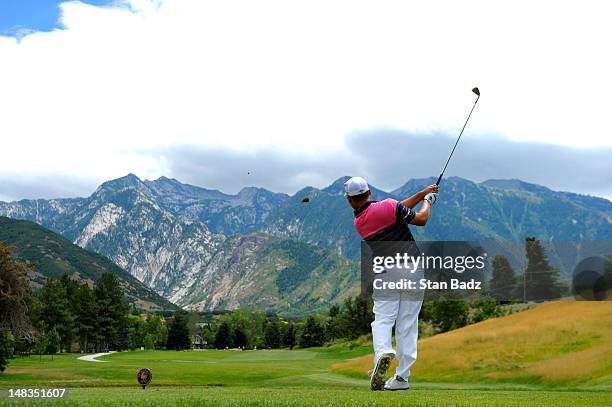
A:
<point x="65" y="315"/>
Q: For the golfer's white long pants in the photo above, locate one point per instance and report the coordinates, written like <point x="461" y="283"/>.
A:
<point x="403" y="312"/>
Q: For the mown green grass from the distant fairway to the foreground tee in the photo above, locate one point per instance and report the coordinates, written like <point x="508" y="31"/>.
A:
<point x="264" y="377"/>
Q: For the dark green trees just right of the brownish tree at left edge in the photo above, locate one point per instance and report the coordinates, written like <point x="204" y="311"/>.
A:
<point x="70" y="316"/>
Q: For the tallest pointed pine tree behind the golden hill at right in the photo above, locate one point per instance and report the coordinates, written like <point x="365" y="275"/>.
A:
<point x="541" y="280"/>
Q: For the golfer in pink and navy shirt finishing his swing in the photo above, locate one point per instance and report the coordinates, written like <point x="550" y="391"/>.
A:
<point x="388" y="220"/>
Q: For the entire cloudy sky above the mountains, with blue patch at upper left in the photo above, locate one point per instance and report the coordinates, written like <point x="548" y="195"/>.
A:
<point x="284" y="94"/>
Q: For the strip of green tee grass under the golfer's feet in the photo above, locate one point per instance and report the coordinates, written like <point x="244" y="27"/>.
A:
<point x="319" y="392"/>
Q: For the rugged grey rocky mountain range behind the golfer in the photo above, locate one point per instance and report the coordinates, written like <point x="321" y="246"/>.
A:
<point x="196" y="246"/>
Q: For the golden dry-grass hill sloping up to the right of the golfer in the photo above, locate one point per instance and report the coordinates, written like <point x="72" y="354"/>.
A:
<point x="563" y="343"/>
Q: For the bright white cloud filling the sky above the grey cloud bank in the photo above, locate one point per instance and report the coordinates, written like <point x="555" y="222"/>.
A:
<point x="85" y="99"/>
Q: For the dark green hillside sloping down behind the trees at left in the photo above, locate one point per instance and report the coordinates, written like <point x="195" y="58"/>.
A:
<point x="54" y="255"/>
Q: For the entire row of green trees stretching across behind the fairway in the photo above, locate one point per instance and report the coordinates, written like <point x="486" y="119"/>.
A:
<point x="65" y="315"/>
